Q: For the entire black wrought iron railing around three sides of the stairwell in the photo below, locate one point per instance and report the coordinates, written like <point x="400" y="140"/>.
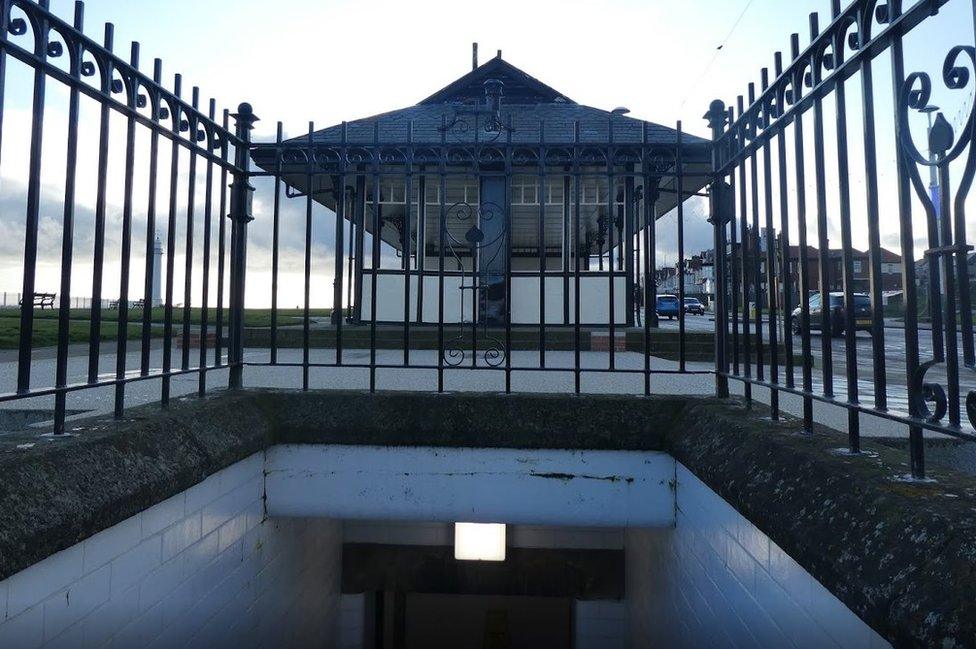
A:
<point x="447" y="239"/>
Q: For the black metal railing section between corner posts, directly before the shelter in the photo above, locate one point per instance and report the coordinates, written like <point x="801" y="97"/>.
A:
<point x="432" y="230"/>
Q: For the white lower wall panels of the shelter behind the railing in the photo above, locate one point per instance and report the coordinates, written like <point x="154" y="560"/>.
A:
<point x="594" y="294"/>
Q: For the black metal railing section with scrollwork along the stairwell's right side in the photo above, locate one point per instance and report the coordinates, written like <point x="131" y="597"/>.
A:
<point x="762" y="154"/>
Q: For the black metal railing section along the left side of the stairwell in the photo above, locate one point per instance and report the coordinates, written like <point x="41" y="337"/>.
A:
<point x="60" y="58"/>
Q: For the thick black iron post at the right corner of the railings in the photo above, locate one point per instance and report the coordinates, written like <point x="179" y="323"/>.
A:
<point x="717" y="117"/>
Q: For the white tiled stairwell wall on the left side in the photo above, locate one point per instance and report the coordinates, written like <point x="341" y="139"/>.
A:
<point x="202" y="569"/>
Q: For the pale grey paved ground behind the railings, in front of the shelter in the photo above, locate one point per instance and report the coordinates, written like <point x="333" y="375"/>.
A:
<point x="101" y="400"/>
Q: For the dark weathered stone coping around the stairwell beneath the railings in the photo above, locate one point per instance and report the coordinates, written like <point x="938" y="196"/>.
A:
<point x="901" y="555"/>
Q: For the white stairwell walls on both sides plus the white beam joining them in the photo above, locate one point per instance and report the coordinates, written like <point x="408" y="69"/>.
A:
<point x="208" y="568"/>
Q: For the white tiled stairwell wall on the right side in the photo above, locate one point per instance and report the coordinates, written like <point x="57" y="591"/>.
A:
<point x="715" y="580"/>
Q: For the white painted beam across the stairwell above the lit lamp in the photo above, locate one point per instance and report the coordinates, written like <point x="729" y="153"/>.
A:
<point x="611" y="488"/>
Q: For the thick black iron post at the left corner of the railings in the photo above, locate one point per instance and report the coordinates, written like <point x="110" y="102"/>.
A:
<point x="241" y="194"/>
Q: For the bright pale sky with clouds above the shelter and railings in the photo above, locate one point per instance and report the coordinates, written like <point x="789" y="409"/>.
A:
<point x="297" y="61"/>
